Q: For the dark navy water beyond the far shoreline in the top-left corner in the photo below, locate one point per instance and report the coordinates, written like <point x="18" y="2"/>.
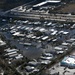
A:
<point x="8" y="4"/>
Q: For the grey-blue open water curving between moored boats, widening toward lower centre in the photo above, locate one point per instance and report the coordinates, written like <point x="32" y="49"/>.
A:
<point x="29" y="52"/>
